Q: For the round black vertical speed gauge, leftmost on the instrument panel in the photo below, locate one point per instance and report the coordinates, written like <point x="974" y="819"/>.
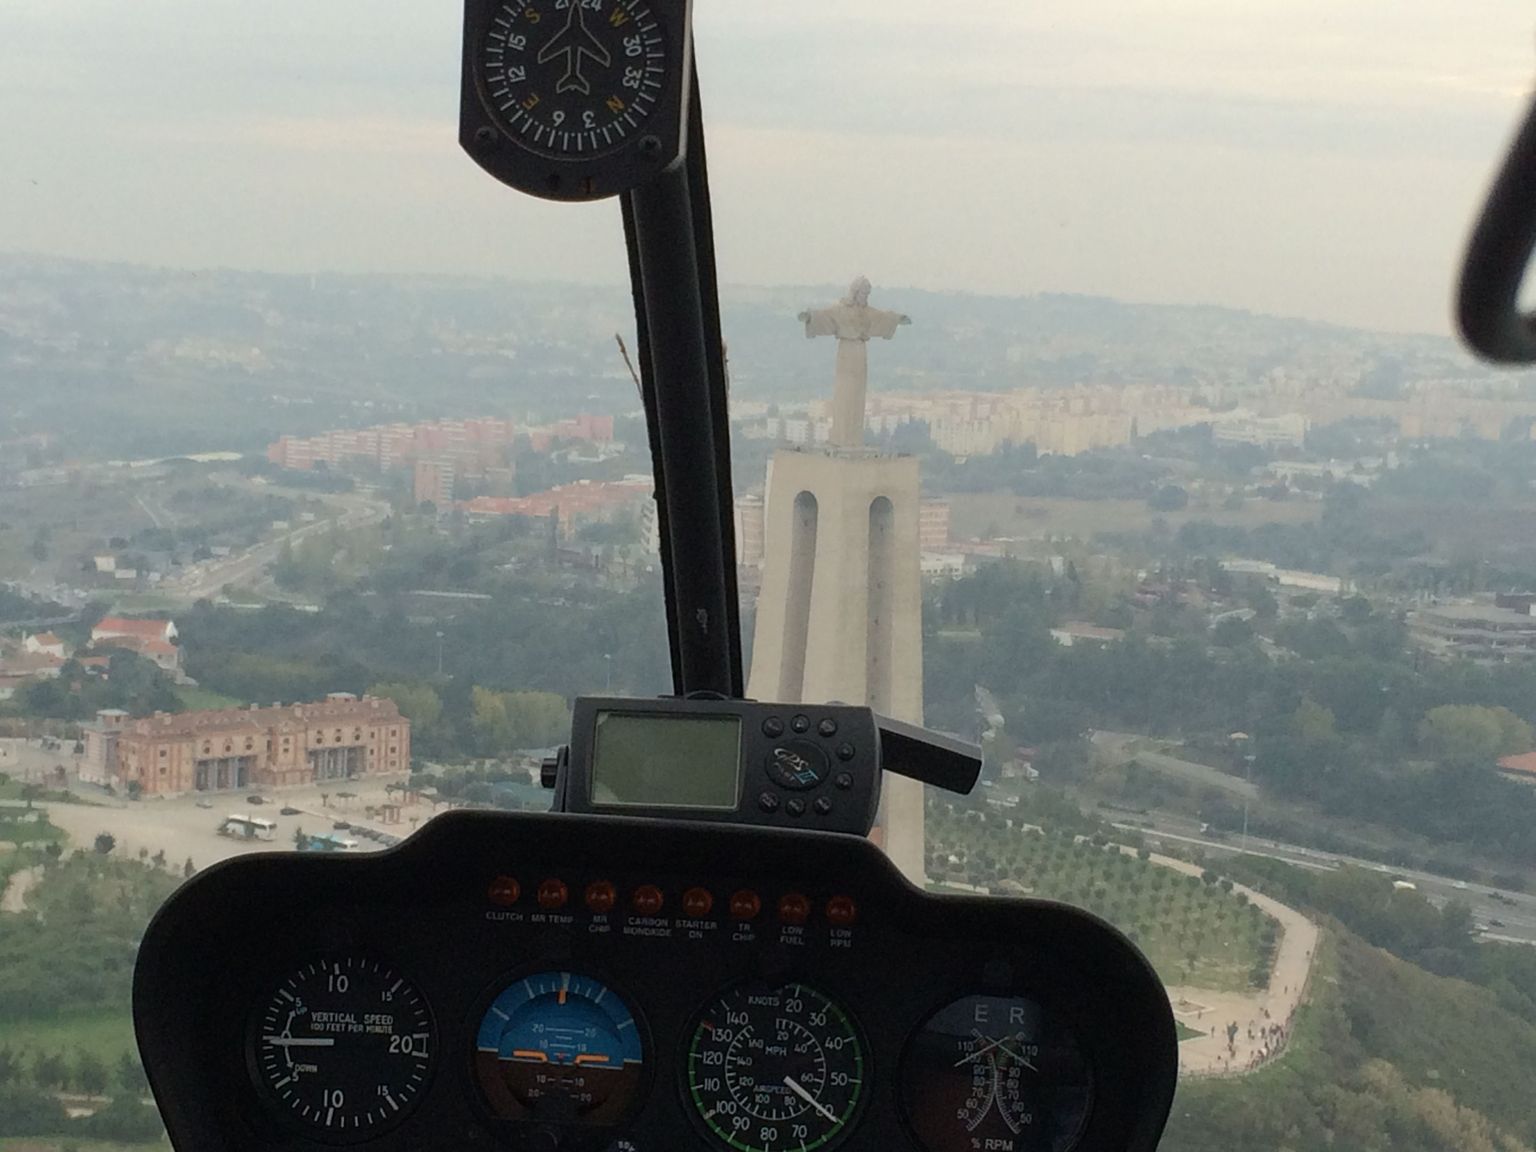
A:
<point x="342" y="1050"/>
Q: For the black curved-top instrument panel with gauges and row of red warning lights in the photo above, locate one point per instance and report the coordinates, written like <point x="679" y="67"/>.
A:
<point x="627" y="985"/>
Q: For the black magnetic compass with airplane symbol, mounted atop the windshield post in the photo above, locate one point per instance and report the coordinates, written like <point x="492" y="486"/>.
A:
<point x="575" y="99"/>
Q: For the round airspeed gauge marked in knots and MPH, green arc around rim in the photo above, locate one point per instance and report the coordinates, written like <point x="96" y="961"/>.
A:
<point x="775" y="1070"/>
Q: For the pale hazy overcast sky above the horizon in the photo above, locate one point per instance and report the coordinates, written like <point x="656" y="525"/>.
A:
<point x="1306" y="157"/>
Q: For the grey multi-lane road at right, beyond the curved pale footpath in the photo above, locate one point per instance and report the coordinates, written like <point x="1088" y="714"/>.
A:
<point x="1514" y="912"/>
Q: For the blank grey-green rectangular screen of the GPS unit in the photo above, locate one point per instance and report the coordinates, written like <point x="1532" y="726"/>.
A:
<point x="647" y="761"/>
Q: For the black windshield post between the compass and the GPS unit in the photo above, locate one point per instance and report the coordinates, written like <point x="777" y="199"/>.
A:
<point x="690" y="491"/>
